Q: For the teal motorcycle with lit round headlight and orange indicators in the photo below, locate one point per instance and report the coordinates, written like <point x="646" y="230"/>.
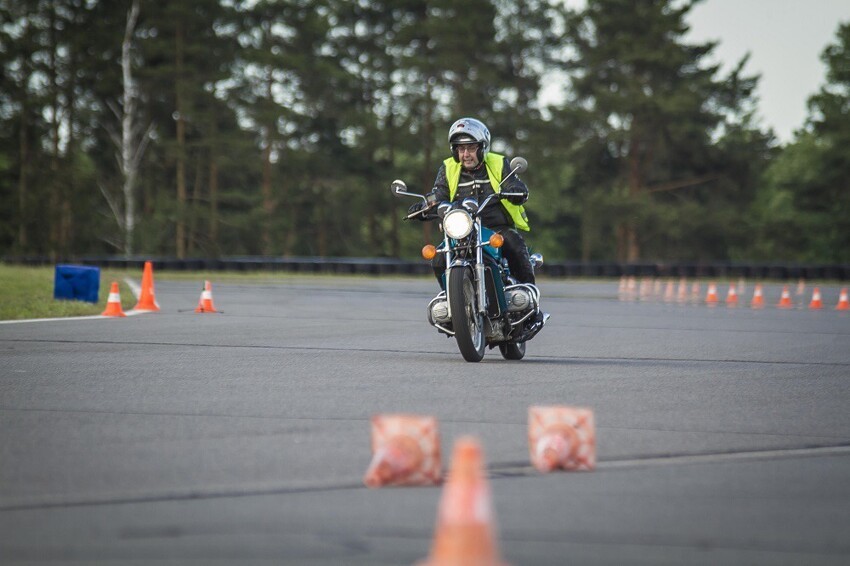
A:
<point x="480" y="303"/>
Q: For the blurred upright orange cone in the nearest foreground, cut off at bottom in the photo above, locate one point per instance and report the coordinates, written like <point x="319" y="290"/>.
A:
<point x="465" y="534"/>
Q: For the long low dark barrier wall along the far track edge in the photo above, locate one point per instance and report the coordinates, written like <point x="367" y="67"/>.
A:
<point x="386" y="266"/>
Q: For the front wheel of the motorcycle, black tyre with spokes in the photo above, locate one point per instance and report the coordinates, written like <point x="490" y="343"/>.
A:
<point x="467" y="322"/>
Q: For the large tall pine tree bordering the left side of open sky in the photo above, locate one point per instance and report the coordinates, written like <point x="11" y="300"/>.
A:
<point x="654" y="109"/>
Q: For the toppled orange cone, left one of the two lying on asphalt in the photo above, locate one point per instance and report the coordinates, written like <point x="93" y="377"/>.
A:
<point x="405" y="451"/>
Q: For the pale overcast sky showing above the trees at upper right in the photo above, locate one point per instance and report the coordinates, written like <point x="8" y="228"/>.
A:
<point x="785" y="39"/>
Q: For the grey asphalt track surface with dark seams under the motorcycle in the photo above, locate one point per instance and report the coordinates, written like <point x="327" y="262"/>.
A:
<point x="242" y="437"/>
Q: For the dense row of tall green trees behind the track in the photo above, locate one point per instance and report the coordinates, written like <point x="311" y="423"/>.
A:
<point x="277" y="127"/>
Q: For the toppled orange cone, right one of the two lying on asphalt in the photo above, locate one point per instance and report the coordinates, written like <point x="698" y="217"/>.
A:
<point x="561" y="438"/>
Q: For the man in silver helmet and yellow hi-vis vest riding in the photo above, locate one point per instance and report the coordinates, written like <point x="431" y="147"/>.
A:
<point x="473" y="171"/>
